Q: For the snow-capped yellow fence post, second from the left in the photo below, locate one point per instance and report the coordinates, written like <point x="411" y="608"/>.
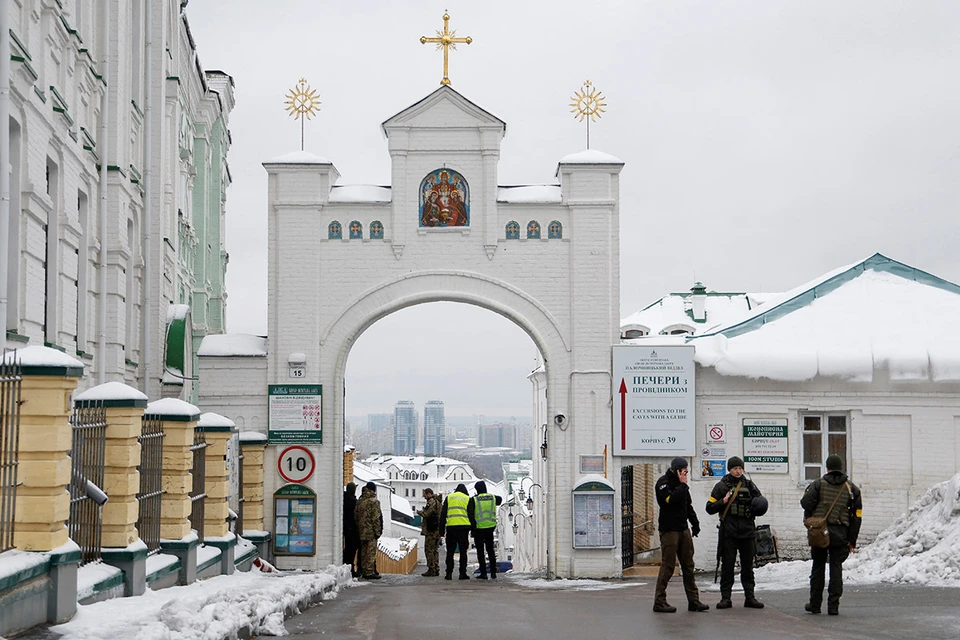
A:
<point x="120" y="540"/>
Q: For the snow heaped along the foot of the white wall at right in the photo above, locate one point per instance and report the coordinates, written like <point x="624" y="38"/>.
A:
<point x="922" y="547"/>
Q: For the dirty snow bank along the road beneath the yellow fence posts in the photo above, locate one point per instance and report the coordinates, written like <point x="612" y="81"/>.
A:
<point x="207" y="610"/>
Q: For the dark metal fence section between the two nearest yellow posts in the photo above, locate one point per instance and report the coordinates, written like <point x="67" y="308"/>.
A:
<point x="89" y="423"/>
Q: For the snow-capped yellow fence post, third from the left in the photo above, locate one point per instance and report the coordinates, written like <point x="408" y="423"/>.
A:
<point x="179" y="420"/>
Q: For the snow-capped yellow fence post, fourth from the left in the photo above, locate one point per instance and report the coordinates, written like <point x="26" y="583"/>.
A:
<point x="218" y="430"/>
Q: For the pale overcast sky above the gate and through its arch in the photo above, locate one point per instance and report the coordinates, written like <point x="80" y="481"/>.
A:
<point x="765" y="143"/>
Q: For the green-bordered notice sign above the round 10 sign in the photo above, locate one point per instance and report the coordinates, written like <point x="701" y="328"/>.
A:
<point x="295" y="412"/>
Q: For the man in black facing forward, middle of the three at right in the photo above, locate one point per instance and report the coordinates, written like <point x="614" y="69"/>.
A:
<point x="733" y="499"/>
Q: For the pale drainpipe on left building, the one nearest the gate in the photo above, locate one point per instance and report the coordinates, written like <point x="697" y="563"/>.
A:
<point x="146" y="309"/>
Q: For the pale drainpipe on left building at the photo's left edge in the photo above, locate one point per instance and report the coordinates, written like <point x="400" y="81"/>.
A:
<point x="4" y="167"/>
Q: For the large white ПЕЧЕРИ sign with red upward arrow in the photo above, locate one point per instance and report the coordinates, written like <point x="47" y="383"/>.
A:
<point x="653" y="401"/>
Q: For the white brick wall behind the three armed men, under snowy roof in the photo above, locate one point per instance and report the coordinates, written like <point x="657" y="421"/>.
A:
<point x="902" y="439"/>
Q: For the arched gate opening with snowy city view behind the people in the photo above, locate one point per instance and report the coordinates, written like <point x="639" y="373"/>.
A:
<point x="443" y="393"/>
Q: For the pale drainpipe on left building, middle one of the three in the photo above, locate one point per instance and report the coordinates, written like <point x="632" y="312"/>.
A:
<point x="104" y="149"/>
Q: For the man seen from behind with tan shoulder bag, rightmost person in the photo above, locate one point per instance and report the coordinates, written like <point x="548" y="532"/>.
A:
<point x="833" y="496"/>
